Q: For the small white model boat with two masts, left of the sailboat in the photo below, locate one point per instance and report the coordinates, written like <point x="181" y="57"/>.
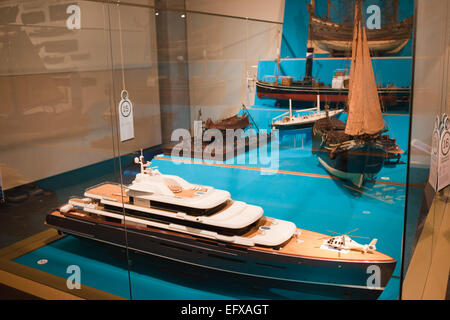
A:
<point x="288" y="120"/>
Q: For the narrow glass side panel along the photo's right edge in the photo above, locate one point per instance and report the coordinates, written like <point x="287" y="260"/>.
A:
<point x="425" y="223"/>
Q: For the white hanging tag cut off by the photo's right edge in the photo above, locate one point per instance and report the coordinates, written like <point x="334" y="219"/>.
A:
<point x="444" y="155"/>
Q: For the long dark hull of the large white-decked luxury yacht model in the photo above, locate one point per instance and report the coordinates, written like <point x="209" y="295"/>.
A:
<point x="348" y="277"/>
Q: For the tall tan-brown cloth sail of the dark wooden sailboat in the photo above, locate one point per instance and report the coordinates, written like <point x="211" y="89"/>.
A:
<point x="364" y="110"/>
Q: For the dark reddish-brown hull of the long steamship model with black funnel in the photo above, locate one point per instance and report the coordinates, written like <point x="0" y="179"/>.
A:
<point x="265" y="90"/>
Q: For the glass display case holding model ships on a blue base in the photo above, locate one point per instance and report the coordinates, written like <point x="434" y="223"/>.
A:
<point x="183" y="149"/>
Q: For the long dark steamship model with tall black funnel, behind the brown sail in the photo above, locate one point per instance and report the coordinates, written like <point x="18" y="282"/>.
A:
<point x="307" y="89"/>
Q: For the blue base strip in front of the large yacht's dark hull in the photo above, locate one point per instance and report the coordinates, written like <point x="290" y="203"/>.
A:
<point x="104" y="267"/>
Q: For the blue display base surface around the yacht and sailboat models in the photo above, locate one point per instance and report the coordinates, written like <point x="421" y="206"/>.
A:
<point x="316" y="204"/>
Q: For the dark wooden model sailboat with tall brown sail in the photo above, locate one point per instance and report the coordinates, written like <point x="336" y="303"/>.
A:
<point x="357" y="149"/>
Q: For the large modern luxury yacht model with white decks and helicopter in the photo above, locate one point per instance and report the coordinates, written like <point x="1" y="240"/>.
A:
<point x="198" y="225"/>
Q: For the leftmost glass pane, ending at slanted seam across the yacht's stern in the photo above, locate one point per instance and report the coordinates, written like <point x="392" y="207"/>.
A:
<point x="57" y="139"/>
